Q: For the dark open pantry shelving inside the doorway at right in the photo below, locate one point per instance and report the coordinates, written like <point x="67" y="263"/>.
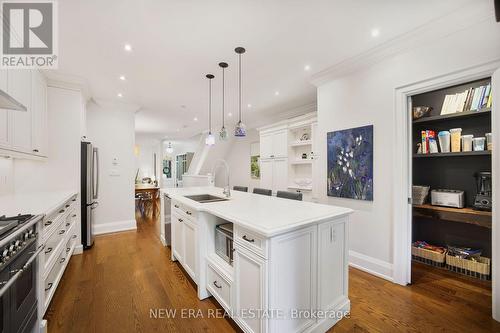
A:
<point x="445" y="225"/>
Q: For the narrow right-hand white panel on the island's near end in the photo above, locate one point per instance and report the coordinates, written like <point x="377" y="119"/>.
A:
<point x="332" y="259"/>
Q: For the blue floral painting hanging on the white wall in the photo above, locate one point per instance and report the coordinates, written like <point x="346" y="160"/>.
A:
<point x="350" y="163"/>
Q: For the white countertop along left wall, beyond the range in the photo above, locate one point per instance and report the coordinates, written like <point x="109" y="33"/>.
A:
<point x="33" y="203"/>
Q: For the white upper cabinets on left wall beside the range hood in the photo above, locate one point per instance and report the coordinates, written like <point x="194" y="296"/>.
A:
<point x="24" y="133"/>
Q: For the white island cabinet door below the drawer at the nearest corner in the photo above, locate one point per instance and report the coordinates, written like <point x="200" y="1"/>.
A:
<point x="251" y="289"/>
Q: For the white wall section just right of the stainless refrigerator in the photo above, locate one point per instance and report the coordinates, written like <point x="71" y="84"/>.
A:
<point x="110" y="127"/>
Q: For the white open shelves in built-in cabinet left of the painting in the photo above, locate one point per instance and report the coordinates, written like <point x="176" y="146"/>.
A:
<point x="300" y="168"/>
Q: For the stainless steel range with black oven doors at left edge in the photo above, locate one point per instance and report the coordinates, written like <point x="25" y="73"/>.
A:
<point x="18" y="273"/>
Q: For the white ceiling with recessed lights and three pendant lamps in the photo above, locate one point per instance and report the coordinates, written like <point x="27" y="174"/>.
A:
<point x="175" y="43"/>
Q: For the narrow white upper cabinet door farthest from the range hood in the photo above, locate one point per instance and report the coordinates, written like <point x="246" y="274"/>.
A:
<point x="39" y="115"/>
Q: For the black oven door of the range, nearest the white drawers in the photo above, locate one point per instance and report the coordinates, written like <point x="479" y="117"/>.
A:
<point x="23" y="298"/>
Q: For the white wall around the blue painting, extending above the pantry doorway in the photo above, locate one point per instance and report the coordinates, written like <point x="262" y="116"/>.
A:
<point x="368" y="97"/>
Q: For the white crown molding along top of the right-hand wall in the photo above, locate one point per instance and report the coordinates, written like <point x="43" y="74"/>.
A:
<point x="460" y="19"/>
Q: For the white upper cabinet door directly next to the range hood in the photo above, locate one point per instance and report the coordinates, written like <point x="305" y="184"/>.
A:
<point x="19" y="87"/>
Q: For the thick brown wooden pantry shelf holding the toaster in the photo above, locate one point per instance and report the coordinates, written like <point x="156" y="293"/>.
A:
<point x="462" y="215"/>
